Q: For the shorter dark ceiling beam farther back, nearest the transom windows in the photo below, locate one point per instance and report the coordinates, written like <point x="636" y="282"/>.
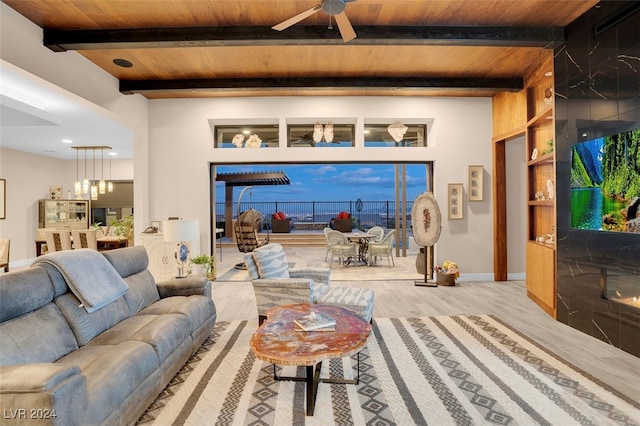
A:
<point x="321" y="83"/>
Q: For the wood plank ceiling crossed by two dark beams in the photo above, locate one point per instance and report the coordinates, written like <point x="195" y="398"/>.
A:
<point x="208" y="48"/>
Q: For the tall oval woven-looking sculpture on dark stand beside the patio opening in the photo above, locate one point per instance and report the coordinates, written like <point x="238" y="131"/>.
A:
<point x="426" y="224"/>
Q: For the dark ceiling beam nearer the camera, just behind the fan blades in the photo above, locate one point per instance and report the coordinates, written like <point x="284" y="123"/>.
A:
<point x="136" y="38"/>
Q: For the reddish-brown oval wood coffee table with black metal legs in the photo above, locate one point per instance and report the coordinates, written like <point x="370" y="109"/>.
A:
<point x="277" y="341"/>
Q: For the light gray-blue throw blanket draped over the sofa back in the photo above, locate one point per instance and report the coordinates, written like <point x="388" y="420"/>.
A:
<point x="89" y="275"/>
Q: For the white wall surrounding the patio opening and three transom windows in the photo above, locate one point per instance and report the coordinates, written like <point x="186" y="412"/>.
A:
<point x="182" y="148"/>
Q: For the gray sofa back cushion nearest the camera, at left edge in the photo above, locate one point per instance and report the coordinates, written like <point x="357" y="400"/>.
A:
<point x="42" y="335"/>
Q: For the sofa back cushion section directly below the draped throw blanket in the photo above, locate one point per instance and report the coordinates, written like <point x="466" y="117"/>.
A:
<point x="86" y="325"/>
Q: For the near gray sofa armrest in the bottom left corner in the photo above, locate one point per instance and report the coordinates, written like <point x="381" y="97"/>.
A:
<point x="43" y="393"/>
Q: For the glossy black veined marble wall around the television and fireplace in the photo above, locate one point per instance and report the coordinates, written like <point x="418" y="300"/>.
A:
<point x="597" y="81"/>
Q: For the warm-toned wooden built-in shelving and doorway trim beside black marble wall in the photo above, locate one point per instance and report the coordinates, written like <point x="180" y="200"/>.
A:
<point x="528" y="113"/>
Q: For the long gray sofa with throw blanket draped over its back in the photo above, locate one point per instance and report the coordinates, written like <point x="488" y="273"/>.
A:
<point x="61" y="364"/>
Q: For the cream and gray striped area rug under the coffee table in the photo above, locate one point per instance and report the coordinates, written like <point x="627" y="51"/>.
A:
<point x="449" y="370"/>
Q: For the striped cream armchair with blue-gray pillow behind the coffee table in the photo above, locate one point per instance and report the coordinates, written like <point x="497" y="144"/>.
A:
<point x="275" y="284"/>
